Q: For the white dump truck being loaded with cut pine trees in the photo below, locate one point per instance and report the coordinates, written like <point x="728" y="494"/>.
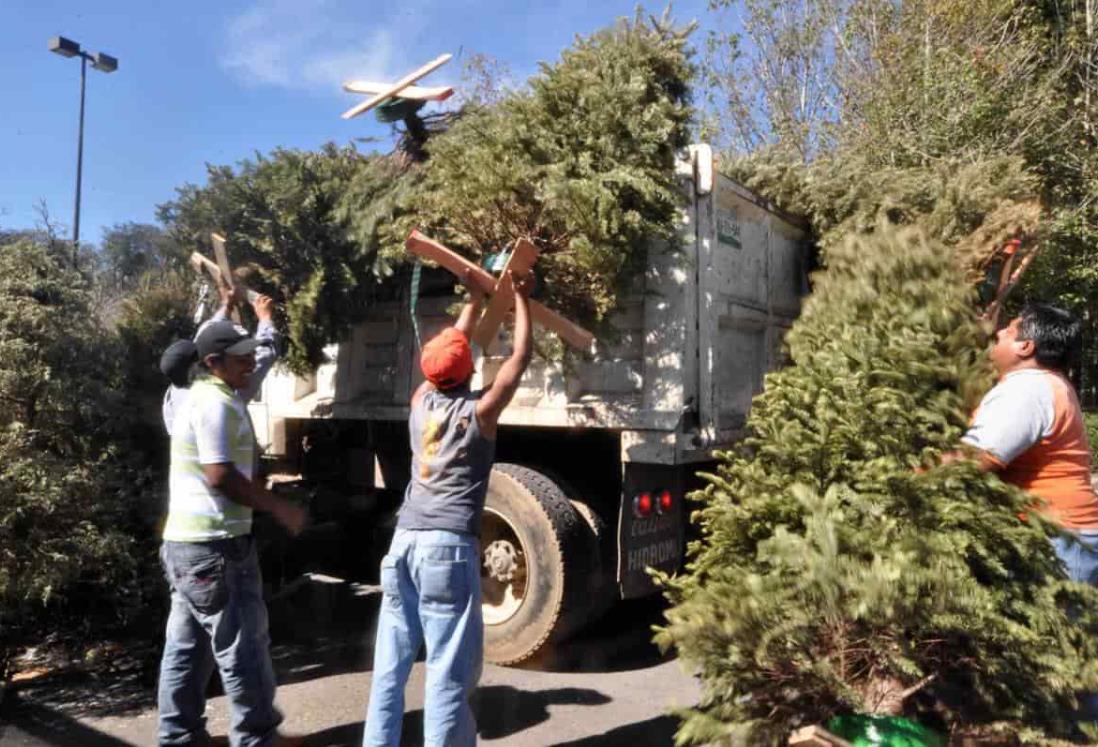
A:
<point x="596" y="453"/>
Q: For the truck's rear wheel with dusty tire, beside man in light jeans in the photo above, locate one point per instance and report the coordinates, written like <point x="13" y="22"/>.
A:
<point x="536" y="554"/>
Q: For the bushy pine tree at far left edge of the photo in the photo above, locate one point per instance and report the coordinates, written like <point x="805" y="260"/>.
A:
<point x="70" y="488"/>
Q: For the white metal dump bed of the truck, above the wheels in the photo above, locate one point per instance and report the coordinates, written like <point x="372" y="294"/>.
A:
<point x="694" y="340"/>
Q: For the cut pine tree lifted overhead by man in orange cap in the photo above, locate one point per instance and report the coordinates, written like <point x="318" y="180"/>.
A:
<point x="581" y="161"/>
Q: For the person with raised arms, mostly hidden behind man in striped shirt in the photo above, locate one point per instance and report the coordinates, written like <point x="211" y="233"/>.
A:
<point x="178" y="361"/>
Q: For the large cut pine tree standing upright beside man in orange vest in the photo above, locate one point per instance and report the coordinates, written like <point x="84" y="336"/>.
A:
<point x="835" y="577"/>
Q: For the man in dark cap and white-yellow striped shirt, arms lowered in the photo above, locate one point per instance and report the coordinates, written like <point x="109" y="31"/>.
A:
<point x="209" y="554"/>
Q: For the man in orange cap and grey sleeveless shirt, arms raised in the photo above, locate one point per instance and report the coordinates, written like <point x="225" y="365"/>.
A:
<point x="431" y="576"/>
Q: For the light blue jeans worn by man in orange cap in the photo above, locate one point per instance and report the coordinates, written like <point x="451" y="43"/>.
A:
<point x="431" y="594"/>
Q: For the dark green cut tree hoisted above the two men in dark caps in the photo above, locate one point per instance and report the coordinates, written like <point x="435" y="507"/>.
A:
<point x="279" y="214"/>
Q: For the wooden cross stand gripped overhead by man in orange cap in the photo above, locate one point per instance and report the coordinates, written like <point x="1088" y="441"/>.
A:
<point x="503" y="295"/>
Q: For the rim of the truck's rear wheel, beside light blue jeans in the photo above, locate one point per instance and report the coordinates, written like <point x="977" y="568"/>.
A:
<point x="503" y="570"/>
